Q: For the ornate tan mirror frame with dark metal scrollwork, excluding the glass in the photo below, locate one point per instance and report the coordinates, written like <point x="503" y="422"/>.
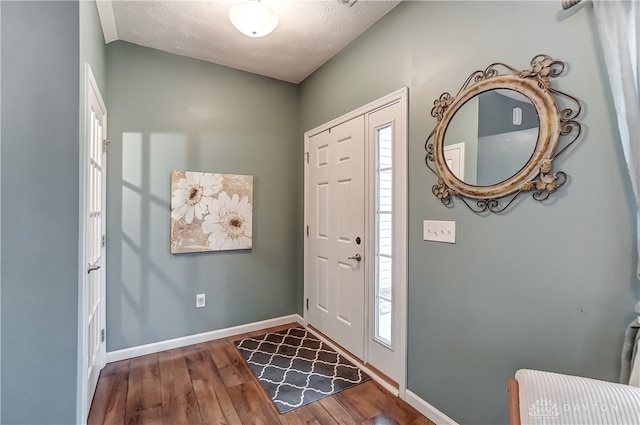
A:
<point x="536" y="176"/>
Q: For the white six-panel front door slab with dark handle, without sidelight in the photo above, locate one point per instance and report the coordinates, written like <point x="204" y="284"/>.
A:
<point x="336" y="262"/>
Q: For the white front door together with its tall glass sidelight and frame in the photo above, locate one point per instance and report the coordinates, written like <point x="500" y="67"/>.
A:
<point x="356" y="206"/>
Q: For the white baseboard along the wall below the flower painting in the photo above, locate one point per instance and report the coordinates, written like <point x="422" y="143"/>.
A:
<point x="156" y="347"/>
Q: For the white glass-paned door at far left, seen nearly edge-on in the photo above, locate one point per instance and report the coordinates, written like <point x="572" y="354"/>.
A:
<point x="92" y="291"/>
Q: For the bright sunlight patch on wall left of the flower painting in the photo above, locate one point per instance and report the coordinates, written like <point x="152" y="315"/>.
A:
<point x="144" y="207"/>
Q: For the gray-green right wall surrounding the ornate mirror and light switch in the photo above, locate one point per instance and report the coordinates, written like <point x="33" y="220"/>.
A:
<point x="549" y="286"/>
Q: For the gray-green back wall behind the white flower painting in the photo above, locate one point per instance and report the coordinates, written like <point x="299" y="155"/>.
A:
<point x="168" y="112"/>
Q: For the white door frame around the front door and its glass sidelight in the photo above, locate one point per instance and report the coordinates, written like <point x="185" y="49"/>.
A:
<point x="400" y="223"/>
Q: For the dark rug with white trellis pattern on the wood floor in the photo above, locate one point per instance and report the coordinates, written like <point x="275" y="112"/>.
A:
<point x="296" y="368"/>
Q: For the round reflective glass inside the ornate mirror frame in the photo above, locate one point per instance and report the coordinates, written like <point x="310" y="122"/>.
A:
<point x="491" y="137"/>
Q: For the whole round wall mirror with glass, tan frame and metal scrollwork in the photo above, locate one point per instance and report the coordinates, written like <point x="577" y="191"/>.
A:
<point x="487" y="162"/>
